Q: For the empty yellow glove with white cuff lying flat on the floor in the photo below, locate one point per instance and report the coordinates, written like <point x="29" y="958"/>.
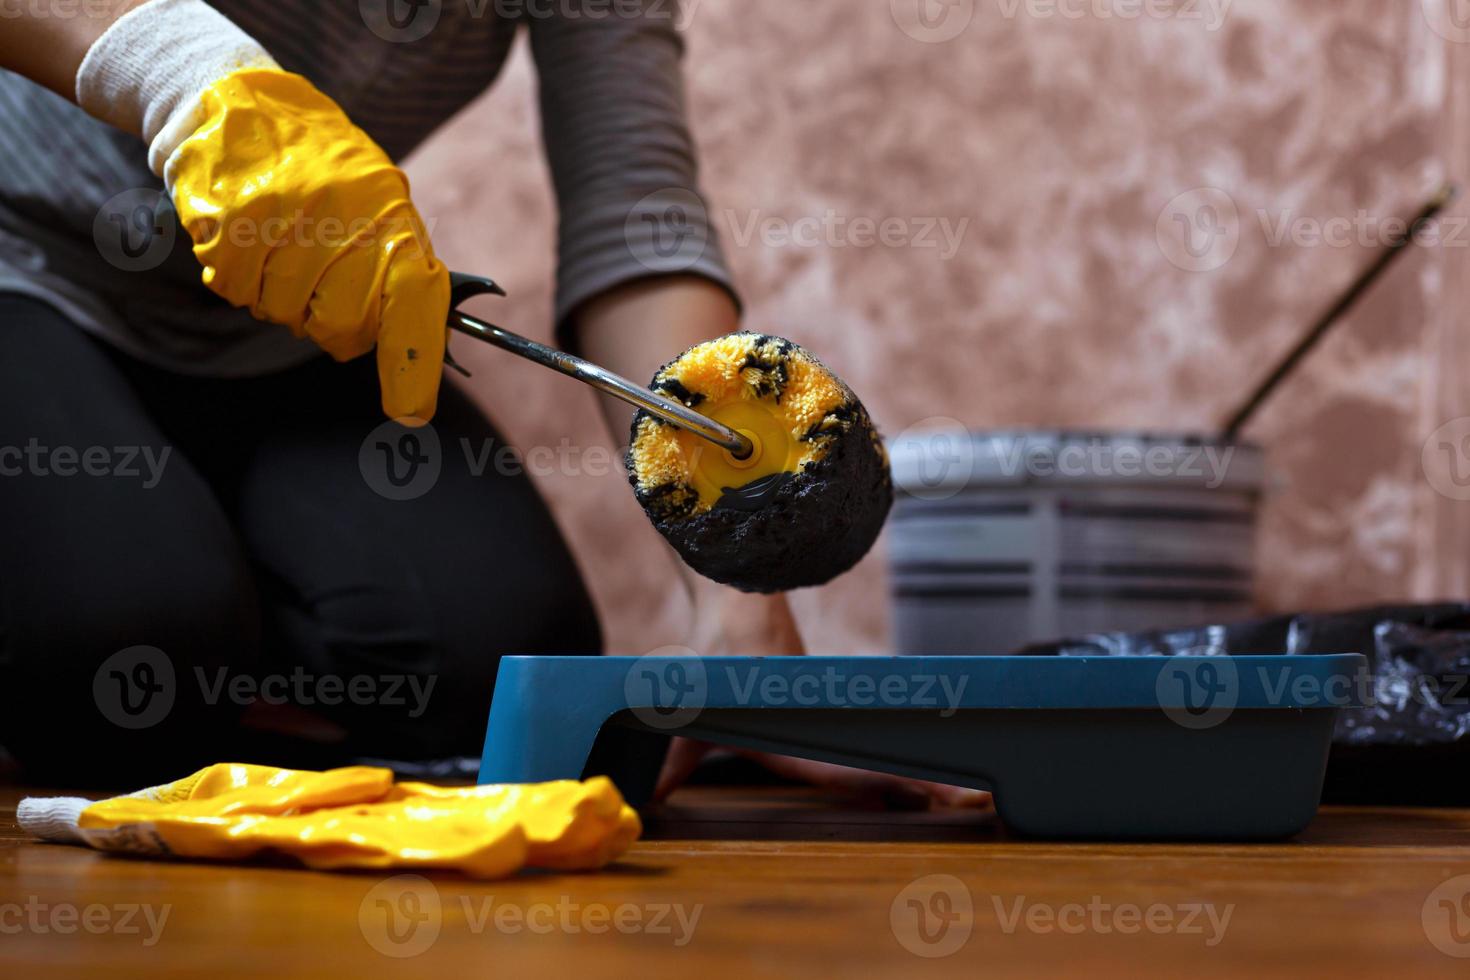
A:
<point x="352" y="819"/>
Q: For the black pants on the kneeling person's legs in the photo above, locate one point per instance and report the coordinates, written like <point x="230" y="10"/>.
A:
<point x="176" y="550"/>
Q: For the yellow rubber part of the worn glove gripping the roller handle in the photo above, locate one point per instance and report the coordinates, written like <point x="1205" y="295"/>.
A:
<point x="301" y="218"/>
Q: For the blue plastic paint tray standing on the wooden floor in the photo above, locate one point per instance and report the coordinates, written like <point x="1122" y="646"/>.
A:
<point x="1224" y="749"/>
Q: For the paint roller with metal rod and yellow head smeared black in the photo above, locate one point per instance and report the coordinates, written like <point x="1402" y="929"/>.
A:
<point x="753" y="459"/>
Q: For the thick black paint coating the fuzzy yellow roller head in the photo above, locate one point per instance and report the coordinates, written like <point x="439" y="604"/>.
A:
<point x="787" y="531"/>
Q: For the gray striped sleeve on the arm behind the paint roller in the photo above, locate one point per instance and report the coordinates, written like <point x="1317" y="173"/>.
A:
<point x="621" y="155"/>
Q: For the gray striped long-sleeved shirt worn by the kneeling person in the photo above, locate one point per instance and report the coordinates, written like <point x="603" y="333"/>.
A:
<point x="86" y="227"/>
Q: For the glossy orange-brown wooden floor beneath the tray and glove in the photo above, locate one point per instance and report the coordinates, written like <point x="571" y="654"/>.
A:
<point x="778" y="882"/>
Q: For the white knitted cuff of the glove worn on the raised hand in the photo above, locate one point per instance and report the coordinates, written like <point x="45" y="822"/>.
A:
<point x="148" y="71"/>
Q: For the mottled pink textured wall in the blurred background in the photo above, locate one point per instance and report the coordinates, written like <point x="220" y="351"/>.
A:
<point x="1053" y="142"/>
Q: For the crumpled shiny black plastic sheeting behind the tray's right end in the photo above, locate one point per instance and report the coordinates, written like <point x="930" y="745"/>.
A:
<point x="1410" y="741"/>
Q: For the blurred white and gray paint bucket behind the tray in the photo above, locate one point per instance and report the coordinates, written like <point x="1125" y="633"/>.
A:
<point x="1000" y="540"/>
